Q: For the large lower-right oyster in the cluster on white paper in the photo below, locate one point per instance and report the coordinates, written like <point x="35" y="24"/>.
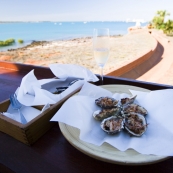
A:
<point x="135" y="124"/>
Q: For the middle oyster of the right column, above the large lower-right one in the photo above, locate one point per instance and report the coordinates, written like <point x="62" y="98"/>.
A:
<point x="135" y="108"/>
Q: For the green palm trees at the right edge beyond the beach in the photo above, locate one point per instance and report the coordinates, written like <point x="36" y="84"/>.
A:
<point x="158" y="22"/>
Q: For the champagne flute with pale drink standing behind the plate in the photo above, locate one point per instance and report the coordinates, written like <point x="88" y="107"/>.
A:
<point x="101" y="48"/>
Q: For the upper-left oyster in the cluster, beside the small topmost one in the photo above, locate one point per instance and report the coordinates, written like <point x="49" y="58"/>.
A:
<point x="106" y="102"/>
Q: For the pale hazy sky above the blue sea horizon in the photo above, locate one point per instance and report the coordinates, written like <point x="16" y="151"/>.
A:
<point x="82" y="10"/>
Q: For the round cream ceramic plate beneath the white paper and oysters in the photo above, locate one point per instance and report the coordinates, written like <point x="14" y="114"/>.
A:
<point x="106" y="152"/>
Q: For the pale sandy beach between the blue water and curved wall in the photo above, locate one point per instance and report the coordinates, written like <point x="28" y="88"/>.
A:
<point x="124" y="49"/>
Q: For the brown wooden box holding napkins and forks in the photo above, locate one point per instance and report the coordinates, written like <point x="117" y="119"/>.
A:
<point x="34" y="129"/>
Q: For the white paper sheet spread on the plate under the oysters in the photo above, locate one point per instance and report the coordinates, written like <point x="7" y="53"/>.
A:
<point x="158" y="139"/>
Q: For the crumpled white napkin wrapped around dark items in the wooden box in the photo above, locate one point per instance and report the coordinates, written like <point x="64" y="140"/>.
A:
<point x="40" y="92"/>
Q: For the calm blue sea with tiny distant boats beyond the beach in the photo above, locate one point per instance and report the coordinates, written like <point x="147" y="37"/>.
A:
<point x="50" y="31"/>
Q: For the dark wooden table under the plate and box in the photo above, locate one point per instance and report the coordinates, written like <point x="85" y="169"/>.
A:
<point x="52" y="152"/>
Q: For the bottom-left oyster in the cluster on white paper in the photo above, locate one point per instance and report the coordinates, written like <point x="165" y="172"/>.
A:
<point x="112" y="125"/>
